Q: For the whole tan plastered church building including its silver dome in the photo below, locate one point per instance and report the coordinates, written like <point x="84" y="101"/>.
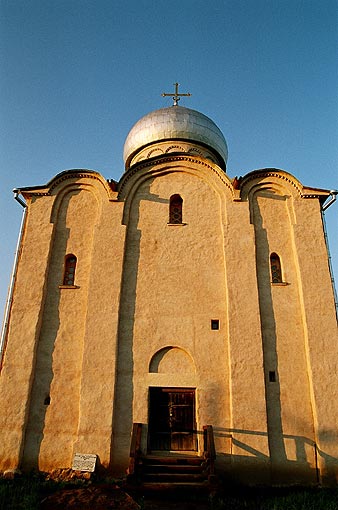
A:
<point x="177" y="297"/>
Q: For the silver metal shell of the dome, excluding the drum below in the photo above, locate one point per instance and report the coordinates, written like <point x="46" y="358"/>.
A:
<point x="174" y="123"/>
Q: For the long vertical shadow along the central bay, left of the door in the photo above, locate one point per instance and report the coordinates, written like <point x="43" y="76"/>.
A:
<point x="124" y="389"/>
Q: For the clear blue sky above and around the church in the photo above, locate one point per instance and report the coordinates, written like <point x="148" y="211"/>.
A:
<point x="77" y="74"/>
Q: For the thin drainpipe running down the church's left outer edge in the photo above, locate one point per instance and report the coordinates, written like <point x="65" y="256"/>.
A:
<point x="13" y="277"/>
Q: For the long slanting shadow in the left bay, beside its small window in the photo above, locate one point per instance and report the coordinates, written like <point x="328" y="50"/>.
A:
<point x="43" y="375"/>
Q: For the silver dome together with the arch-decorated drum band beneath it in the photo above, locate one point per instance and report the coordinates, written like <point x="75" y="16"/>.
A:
<point x="194" y="133"/>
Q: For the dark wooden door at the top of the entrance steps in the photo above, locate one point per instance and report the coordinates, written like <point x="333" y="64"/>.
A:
<point x="172" y="419"/>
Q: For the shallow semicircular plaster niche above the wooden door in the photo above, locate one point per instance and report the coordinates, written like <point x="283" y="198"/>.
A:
<point x="171" y="360"/>
